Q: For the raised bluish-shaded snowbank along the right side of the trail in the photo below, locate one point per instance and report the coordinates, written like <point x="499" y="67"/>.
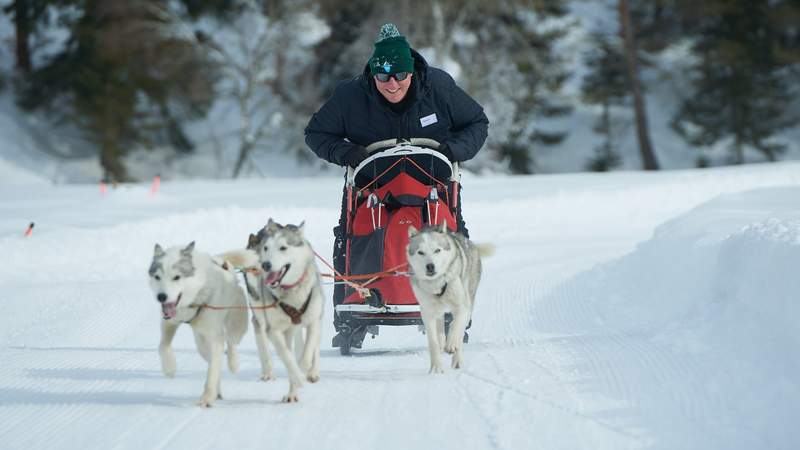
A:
<point x="712" y="299"/>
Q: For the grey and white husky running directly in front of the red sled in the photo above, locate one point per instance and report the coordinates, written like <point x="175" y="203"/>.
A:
<point x="445" y="272"/>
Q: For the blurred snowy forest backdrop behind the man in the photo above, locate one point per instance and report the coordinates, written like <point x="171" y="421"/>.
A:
<point x="123" y="91"/>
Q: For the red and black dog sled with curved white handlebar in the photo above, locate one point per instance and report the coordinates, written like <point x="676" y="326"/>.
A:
<point x="400" y="184"/>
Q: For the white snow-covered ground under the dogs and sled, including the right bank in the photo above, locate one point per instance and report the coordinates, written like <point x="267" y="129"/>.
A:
<point x="633" y="310"/>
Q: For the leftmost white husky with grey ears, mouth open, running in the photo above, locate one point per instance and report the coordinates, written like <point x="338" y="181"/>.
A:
<point x="196" y="288"/>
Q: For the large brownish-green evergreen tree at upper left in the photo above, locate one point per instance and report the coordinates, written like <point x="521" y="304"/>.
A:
<point x="125" y="77"/>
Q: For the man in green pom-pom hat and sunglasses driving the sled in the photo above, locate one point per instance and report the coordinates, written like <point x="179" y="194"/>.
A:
<point x="397" y="96"/>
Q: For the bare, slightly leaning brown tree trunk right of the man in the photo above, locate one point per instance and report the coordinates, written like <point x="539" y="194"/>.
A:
<point x="645" y="147"/>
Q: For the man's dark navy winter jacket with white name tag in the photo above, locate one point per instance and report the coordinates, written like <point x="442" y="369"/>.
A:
<point x="358" y="114"/>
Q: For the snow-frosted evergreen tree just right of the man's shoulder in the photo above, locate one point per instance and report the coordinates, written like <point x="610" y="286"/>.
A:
<point x="522" y="82"/>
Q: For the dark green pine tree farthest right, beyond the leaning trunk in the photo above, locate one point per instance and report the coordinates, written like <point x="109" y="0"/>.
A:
<point x="740" y="92"/>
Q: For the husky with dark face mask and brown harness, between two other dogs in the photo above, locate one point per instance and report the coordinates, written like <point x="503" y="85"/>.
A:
<point x="290" y="287"/>
